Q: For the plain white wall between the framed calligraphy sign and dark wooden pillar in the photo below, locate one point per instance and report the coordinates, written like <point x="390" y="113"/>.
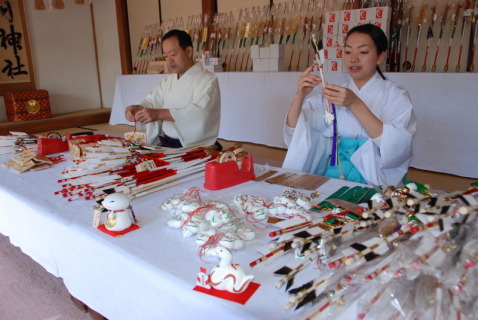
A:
<point x="63" y="51"/>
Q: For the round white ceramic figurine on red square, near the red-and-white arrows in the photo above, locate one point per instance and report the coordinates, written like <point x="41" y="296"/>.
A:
<point x="120" y="214"/>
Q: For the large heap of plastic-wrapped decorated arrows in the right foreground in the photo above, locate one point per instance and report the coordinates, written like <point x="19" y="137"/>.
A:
<point x="404" y="255"/>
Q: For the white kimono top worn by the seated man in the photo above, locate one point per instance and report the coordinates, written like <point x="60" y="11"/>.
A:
<point x="194" y="101"/>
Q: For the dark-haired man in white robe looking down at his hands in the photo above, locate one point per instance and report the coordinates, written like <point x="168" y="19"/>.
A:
<point x="185" y="106"/>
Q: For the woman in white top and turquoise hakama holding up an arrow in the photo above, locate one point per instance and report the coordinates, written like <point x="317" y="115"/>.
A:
<point x="370" y="140"/>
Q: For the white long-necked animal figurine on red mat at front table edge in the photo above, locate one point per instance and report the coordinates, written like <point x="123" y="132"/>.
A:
<point x="227" y="276"/>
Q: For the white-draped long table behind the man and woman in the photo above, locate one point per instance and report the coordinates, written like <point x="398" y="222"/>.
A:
<point x="254" y="106"/>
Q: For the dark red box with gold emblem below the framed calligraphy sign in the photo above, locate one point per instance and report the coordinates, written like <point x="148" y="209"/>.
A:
<point x="27" y="105"/>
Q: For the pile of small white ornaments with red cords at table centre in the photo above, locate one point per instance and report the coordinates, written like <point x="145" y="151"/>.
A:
<point x="207" y="220"/>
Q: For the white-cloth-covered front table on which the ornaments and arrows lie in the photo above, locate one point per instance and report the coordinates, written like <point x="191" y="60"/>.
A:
<point x="146" y="274"/>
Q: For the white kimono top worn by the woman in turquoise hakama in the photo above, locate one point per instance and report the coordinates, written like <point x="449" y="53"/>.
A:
<point x="384" y="161"/>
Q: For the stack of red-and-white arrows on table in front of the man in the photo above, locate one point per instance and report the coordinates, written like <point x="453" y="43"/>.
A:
<point x="135" y="171"/>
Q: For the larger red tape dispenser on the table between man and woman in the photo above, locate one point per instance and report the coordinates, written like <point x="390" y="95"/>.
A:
<point x="227" y="174"/>
